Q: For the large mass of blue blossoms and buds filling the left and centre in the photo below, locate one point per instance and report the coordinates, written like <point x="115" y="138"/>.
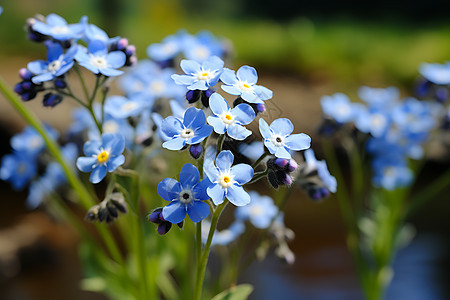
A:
<point x="160" y="107"/>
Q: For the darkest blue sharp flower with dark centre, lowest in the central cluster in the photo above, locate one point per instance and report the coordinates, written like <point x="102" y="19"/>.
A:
<point x="186" y="196"/>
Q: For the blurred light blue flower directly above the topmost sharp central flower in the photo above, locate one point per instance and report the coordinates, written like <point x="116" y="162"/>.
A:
<point x="202" y="46"/>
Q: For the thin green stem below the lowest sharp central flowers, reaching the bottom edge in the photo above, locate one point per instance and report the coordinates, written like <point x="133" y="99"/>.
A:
<point x="204" y="258"/>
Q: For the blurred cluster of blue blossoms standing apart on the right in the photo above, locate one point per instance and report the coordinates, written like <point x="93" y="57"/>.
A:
<point x="394" y="130"/>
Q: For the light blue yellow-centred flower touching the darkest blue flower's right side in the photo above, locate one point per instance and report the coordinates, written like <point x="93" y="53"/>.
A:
<point x="227" y="181"/>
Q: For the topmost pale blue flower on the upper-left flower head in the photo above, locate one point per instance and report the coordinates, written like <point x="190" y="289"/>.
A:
<point x="56" y="27"/>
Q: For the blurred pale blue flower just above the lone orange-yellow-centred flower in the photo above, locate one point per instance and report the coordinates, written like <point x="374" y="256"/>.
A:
<point x="120" y="107"/>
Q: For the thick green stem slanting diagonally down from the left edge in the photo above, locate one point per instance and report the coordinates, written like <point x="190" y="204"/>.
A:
<point x="83" y="194"/>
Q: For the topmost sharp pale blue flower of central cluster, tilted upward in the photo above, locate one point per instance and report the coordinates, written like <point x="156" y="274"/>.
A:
<point x="200" y="76"/>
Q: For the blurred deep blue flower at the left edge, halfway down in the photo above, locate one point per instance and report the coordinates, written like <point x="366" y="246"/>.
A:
<point x="18" y="168"/>
